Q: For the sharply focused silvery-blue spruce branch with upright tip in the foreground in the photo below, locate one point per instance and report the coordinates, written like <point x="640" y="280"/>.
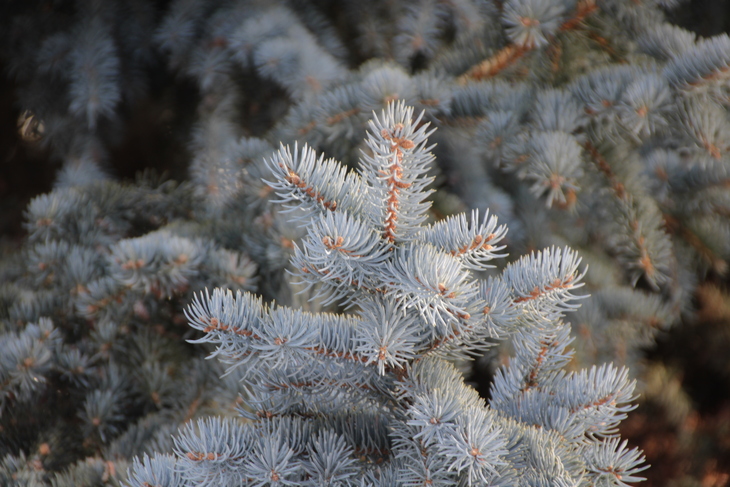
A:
<point x="372" y="398"/>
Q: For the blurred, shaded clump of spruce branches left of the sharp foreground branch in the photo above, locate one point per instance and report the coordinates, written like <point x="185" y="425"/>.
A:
<point x="93" y="365"/>
